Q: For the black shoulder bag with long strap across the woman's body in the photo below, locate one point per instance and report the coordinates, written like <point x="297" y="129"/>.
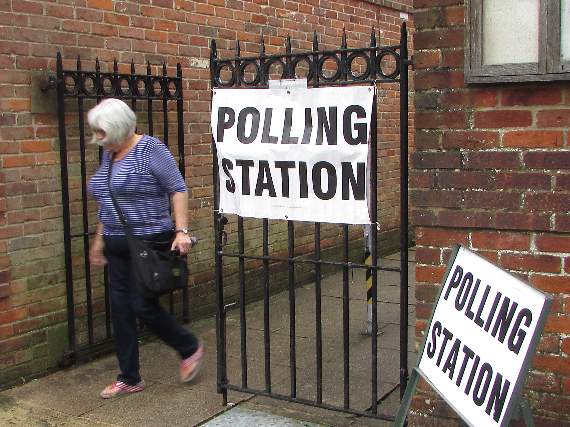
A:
<point x="155" y="268"/>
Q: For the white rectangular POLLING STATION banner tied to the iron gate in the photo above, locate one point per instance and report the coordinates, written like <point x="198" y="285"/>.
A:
<point x="294" y="153"/>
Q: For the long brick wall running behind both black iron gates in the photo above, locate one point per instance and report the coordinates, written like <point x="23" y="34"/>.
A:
<point x="32" y="289"/>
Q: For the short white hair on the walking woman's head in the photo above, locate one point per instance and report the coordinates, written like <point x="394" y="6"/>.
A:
<point x="115" y="118"/>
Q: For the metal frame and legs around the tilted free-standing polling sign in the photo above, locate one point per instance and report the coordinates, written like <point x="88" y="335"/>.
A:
<point x="516" y="405"/>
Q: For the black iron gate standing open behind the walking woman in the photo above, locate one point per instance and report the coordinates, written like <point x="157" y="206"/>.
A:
<point x="157" y="101"/>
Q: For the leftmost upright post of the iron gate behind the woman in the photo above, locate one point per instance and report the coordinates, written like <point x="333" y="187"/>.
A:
<point x="65" y="205"/>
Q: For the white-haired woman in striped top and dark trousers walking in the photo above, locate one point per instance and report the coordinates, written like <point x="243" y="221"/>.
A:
<point x="146" y="183"/>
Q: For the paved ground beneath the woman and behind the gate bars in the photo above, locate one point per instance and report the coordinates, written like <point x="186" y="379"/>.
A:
<point x="70" y="397"/>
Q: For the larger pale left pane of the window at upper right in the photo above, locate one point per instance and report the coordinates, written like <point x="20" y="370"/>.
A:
<point x="510" y="31"/>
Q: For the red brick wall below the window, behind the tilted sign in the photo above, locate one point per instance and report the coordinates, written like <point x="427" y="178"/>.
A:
<point x="492" y="172"/>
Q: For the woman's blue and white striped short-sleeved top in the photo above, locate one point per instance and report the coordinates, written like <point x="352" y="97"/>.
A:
<point x="142" y="182"/>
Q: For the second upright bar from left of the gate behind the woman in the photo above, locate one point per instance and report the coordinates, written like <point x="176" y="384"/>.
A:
<point x="85" y="219"/>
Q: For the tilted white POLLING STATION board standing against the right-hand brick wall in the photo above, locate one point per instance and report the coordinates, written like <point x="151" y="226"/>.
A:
<point x="481" y="336"/>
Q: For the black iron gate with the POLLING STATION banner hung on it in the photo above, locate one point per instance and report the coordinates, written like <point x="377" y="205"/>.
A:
<point x="321" y="68"/>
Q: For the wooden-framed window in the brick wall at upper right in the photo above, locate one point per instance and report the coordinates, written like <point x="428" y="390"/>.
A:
<point x="517" y="40"/>
